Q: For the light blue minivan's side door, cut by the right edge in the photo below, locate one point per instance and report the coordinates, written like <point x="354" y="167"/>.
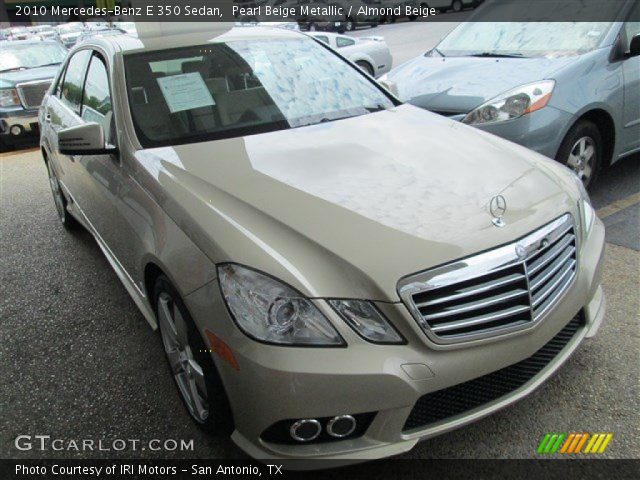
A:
<point x="631" y="73"/>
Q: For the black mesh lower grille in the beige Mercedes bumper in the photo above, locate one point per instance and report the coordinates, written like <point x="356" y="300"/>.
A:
<point x="449" y="402"/>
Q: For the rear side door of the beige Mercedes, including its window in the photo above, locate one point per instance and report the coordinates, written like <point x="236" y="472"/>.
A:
<point x="62" y="111"/>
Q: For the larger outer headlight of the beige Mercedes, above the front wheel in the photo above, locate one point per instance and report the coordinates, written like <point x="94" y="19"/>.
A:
<point x="270" y="311"/>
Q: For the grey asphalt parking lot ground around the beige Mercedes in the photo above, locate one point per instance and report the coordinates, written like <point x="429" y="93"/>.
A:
<point x="81" y="362"/>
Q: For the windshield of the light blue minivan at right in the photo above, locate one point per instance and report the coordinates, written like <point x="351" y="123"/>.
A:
<point x="526" y="39"/>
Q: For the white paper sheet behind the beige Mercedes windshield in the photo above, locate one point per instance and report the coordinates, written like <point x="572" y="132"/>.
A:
<point x="185" y="92"/>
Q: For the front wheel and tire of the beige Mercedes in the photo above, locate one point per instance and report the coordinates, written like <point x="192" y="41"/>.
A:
<point x="189" y="362"/>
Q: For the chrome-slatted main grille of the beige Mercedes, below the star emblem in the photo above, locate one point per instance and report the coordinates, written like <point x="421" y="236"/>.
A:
<point x="497" y="291"/>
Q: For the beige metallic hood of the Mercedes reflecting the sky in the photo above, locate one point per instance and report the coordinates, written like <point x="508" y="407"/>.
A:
<point x="347" y="208"/>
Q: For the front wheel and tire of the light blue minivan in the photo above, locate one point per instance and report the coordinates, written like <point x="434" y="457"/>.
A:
<point x="581" y="151"/>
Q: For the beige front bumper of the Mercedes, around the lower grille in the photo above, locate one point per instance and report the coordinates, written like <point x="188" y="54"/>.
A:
<point x="277" y="383"/>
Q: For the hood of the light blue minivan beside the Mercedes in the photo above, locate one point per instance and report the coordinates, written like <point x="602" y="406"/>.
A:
<point x="460" y="84"/>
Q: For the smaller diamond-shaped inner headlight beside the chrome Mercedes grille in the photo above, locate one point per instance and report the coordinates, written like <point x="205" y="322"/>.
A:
<point x="366" y="320"/>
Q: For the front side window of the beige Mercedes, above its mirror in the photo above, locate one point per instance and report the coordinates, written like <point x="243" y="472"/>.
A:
<point x="96" y="100"/>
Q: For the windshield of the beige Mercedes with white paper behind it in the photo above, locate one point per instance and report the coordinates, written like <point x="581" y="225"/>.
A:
<point x="223" y="90"/>
